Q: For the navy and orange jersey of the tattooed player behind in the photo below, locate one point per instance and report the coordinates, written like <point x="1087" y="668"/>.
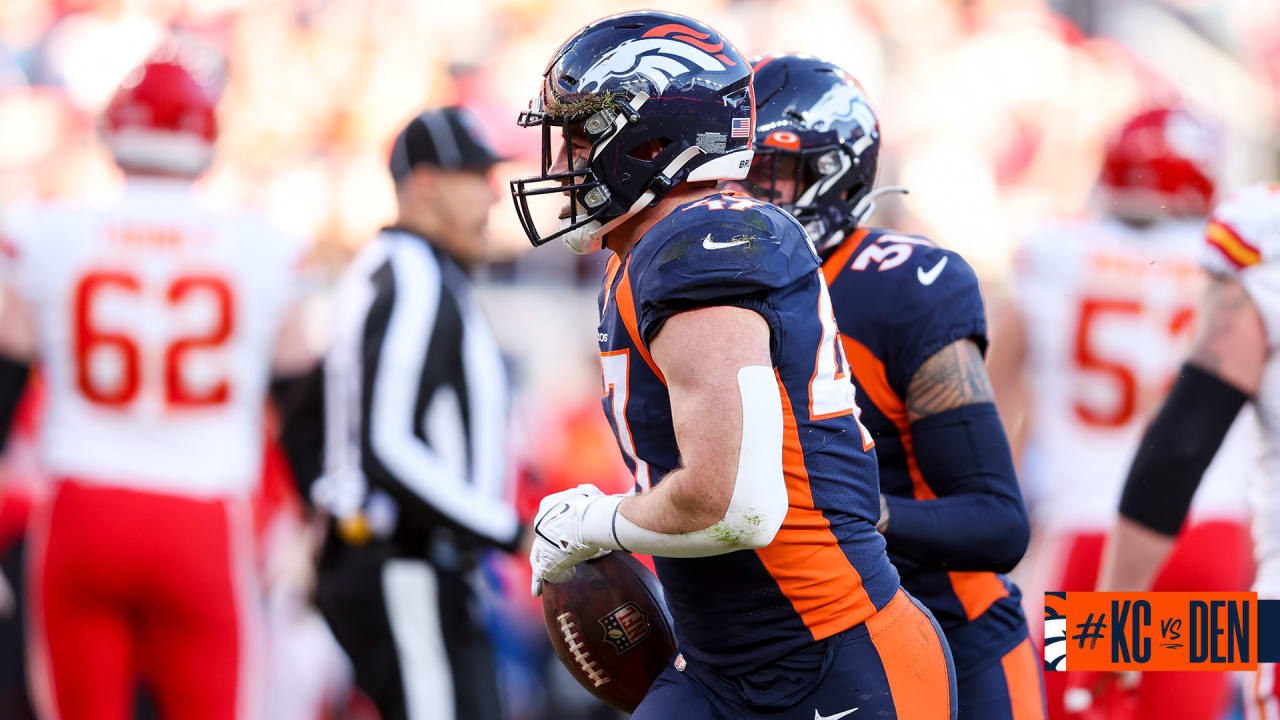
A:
<point x="899" y="299"/>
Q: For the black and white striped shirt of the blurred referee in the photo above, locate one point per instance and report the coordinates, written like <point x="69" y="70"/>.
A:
<point x="417" y="407"/>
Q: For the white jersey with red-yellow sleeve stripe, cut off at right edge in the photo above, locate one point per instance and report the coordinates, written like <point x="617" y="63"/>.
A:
<point x="1244" y="240"/>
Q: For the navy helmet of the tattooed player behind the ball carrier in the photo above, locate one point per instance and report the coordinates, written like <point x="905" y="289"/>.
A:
<point x="815" y="127"/>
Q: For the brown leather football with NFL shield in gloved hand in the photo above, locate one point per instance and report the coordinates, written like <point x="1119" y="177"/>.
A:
<point x="611" y="628"/>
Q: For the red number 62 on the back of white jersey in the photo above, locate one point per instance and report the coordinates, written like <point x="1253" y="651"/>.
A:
<point x="93" y="341"/>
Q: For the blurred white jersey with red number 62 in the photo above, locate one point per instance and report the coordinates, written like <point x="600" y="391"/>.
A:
<point x="156" y="323"/>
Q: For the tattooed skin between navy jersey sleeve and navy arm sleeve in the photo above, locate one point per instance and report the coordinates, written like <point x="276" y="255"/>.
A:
<point x="953" y="377"/>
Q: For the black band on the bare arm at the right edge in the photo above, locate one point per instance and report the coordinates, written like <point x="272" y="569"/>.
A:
<point x="1178" y="448"/>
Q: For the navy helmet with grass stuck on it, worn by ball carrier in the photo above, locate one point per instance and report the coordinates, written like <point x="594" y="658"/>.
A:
<point x="661" y="98"/>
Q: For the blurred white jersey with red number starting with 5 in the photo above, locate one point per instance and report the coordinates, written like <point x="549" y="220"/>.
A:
<point x="1110" y="317"/>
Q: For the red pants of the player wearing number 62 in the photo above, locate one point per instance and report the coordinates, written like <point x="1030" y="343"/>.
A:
<point x="132" y="587"/>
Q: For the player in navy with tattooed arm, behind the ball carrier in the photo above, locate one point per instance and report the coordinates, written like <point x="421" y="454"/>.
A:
<point x="913" y="327"/>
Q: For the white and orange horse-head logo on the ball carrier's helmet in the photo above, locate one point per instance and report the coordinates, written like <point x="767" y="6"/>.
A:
<point x="657" y="58"/>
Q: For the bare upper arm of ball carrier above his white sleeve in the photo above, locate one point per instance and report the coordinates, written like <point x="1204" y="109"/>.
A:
<point x="701" y="353"/>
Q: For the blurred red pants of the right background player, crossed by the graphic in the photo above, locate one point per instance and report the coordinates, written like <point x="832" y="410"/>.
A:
<point x="1209" y="557"/>
